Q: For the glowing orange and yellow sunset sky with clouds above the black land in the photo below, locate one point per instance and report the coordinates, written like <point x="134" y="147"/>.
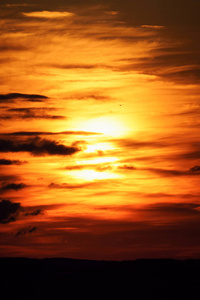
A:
<point x="99" y="129"/>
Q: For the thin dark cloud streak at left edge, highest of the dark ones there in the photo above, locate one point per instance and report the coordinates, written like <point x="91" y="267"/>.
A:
<point x="14" y="96"/>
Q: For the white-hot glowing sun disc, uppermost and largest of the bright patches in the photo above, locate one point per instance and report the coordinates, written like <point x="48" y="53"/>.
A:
<point x="106" y="125"/>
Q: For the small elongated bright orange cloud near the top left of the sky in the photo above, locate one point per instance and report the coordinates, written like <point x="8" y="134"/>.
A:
<point x="49" y="14"/>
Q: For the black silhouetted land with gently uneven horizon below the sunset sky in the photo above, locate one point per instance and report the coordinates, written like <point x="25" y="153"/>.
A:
<point x="60" y="278"/>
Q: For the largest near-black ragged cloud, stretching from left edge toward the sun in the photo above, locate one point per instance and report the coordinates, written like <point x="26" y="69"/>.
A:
<point x="37" y="147"/>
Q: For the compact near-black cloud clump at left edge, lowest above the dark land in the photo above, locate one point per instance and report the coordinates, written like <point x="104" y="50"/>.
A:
<point x="8" y="211"/>
